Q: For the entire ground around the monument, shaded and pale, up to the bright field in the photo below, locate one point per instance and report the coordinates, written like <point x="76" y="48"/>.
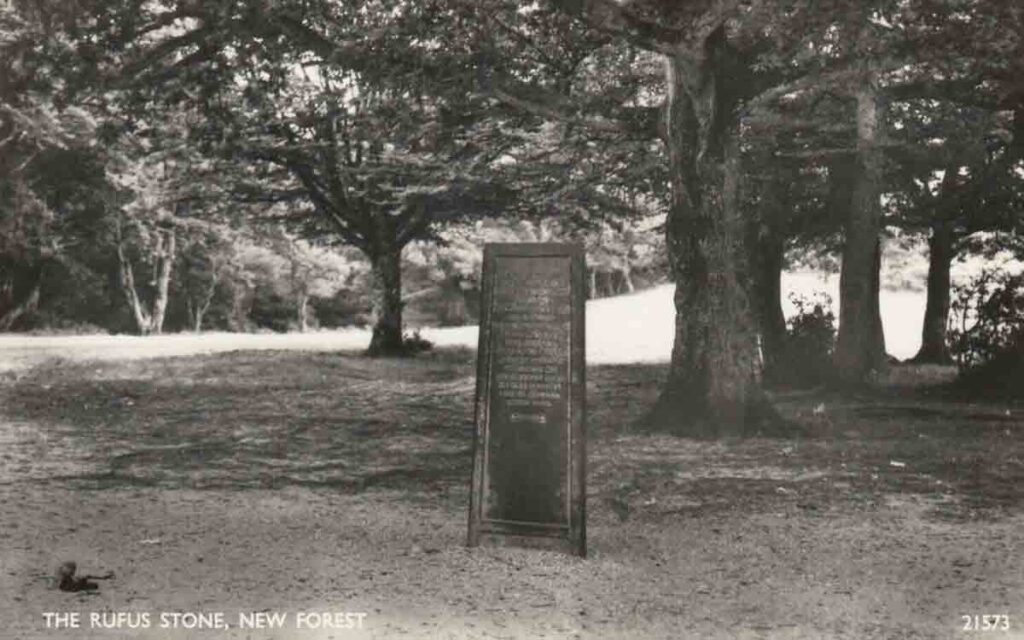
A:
<point x="314" y="482"/>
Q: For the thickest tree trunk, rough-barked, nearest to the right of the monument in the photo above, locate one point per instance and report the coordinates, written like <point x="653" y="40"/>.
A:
<point x="714" y="381"/>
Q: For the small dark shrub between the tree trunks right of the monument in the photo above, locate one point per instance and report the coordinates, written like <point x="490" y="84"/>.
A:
<point x="806" y="360"/>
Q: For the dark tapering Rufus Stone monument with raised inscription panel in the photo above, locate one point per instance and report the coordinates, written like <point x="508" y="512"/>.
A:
<point x="529" y="466"/>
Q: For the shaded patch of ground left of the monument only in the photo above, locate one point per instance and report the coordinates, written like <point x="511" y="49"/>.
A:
<point x="253" y="420"/>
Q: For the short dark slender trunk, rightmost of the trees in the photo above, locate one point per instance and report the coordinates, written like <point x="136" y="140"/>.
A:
<point x="933" y="335"/>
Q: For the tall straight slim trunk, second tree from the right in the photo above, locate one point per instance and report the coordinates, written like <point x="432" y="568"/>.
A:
<point x="861" y="347"/>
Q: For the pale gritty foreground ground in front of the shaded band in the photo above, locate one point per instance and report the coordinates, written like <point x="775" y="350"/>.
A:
<point x="883" y="574"/>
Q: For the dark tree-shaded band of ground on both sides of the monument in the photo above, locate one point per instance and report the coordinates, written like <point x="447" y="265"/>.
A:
<point x="268" y="420"/>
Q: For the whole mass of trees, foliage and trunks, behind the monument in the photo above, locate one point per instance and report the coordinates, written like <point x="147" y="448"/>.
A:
<point x="148" y="145"/>
